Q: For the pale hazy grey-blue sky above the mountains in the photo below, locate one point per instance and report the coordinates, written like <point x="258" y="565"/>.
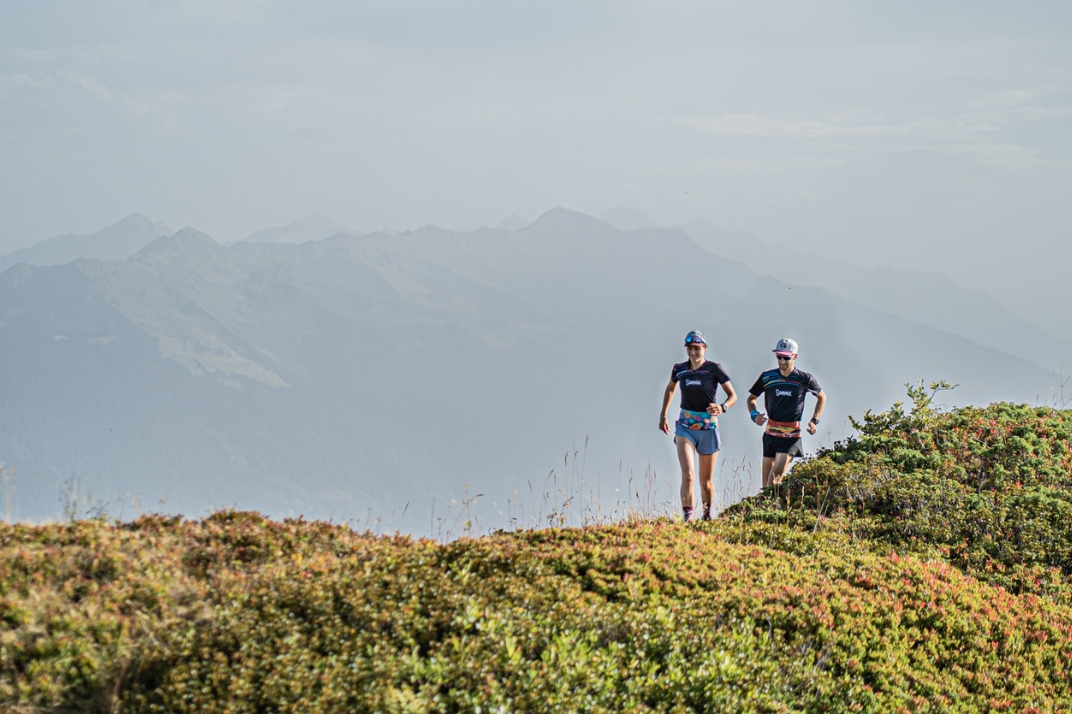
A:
<point x="907" y="133"/>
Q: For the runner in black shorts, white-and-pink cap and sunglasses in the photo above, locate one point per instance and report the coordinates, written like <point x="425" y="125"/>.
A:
<point x="784" y="391"/>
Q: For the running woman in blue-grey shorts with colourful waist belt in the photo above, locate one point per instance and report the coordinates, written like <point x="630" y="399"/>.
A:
<point x="696" y="433"/>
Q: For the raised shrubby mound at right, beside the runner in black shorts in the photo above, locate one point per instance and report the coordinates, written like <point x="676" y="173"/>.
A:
<point x="988" y="489"/>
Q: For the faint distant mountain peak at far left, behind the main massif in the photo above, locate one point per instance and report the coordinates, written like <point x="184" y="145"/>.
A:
<point x="115" y="243"/>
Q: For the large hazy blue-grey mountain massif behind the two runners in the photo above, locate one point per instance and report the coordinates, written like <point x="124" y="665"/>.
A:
<point x="360" y="377"/>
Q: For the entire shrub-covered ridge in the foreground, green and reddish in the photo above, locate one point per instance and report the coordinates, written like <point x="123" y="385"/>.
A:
<point x="921" y="567"/>
